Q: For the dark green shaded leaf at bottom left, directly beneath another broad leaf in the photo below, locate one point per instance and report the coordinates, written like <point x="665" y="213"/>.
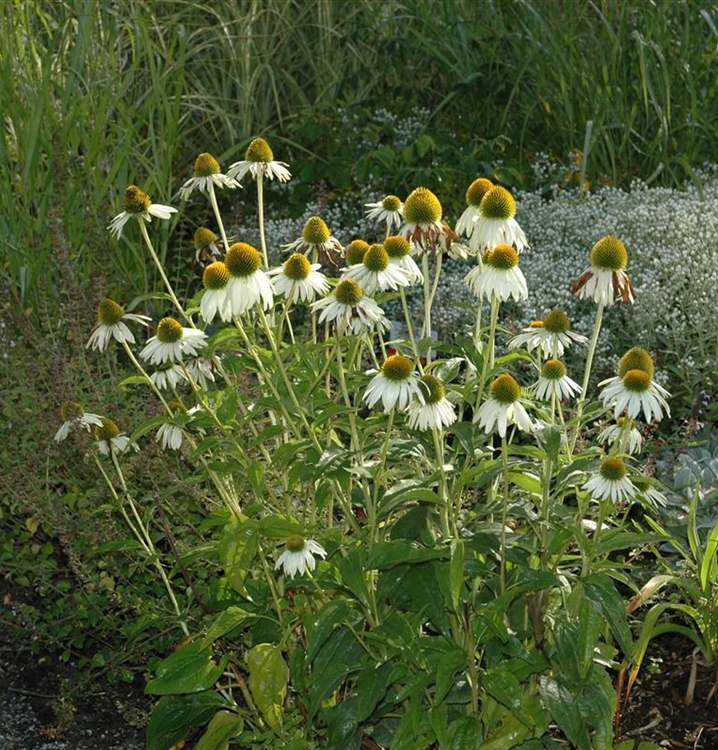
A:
<point x="174" y="716"/>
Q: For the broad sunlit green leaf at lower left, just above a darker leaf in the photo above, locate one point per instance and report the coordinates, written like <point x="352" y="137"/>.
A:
<point x="190" y="669"/>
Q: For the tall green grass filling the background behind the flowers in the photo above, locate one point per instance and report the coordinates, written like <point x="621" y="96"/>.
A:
<point x="97" y="96"/>
